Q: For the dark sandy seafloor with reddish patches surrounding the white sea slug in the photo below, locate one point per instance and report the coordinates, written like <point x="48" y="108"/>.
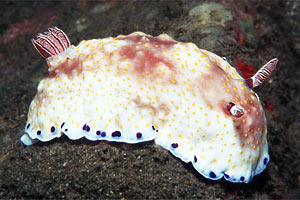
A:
<point x="248" y="33"/>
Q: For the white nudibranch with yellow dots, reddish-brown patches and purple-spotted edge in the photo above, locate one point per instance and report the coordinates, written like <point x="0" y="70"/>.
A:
<point x="135" y="88"/>
